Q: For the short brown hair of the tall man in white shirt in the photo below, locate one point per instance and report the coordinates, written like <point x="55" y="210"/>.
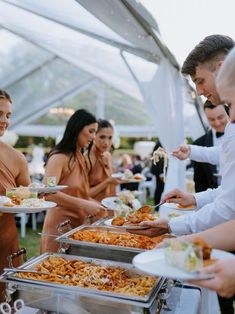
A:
<point x="214" y="47"/>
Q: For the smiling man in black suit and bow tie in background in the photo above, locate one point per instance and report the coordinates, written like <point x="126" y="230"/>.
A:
<point x="205" y="173"/>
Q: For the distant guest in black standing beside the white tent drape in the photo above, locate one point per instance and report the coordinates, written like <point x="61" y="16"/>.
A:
<point x="157" y="170"/>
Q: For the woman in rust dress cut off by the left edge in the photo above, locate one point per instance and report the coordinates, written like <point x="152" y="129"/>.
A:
<point x="13" y="172"/>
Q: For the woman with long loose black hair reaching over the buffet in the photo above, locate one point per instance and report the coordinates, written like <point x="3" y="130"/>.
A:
<point x="67" y="164"/>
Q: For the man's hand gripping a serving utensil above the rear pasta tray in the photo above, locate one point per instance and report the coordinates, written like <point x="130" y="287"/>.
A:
<point x="179" y="197"/>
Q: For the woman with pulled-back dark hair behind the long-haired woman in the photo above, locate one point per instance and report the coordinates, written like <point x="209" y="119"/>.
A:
<point x="99" y="162"/>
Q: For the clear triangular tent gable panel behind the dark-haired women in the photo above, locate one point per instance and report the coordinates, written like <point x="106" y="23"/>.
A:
<point x="117" y="106"/>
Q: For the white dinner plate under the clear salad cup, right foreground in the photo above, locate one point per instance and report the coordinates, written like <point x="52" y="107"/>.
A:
<point x="154" y="263"/>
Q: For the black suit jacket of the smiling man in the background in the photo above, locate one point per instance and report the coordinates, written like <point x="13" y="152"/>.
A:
<point x="203" y="172"/>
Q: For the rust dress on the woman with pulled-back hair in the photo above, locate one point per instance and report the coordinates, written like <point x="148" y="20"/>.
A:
<point x="101" y="171"/>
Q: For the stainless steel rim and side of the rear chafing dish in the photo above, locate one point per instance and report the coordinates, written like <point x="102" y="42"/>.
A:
<point x="97" y="250"/>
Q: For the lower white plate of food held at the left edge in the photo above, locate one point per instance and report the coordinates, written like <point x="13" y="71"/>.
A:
<point x="30" y="205"/>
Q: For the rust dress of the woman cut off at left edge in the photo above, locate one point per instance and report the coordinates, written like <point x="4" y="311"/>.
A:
<point x="8" y="231"/>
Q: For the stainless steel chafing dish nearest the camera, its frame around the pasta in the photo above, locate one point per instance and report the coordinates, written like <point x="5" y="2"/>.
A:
<point x="66" y="299"/>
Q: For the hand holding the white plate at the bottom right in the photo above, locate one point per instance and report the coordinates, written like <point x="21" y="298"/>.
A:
<point x="223" y="281"/>
